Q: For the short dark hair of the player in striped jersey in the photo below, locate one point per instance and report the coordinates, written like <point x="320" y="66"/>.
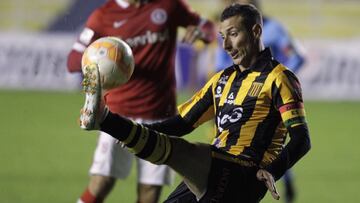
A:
<point x="248" y="12"/>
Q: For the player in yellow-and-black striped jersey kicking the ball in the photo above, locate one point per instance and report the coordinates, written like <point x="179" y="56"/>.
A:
<point x="255" y="104"/>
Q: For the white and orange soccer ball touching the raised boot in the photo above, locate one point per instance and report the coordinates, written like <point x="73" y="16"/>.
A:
<point x="114" y="59"/>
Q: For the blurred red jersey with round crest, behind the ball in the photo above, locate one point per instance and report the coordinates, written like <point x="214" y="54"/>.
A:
<point x="151" y="31"/>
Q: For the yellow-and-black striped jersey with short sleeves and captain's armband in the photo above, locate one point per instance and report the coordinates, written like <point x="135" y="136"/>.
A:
<point x="251" y="109"/>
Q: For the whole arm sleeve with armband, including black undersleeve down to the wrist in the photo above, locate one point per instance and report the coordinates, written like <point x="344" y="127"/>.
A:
<point x="288" y="99"/>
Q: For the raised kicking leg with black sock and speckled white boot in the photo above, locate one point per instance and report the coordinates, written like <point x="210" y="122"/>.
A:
<point x="148" y="144"/>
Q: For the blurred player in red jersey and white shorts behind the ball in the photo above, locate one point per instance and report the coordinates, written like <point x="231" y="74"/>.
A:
<point x="150" y="28"/>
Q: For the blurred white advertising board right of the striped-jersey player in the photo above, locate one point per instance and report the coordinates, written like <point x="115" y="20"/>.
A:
<point x="332" y="70"/>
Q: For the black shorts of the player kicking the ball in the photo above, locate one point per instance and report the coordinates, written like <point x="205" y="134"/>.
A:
<point x="231" y="180"/>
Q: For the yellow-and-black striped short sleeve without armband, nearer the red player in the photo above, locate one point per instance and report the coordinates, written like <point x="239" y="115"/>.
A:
<point x="200" y="108"/>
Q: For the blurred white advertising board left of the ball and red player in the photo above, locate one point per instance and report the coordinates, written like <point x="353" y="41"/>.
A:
<point x="36" y="61"/>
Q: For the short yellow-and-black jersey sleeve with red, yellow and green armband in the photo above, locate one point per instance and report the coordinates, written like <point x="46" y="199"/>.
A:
<point x="287" y="97"/>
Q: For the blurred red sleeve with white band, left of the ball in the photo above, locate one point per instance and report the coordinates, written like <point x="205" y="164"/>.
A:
<point x="90" y="33"/>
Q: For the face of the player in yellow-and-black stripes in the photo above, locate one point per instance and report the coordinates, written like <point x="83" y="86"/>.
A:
<point x="238" y="41"/>
